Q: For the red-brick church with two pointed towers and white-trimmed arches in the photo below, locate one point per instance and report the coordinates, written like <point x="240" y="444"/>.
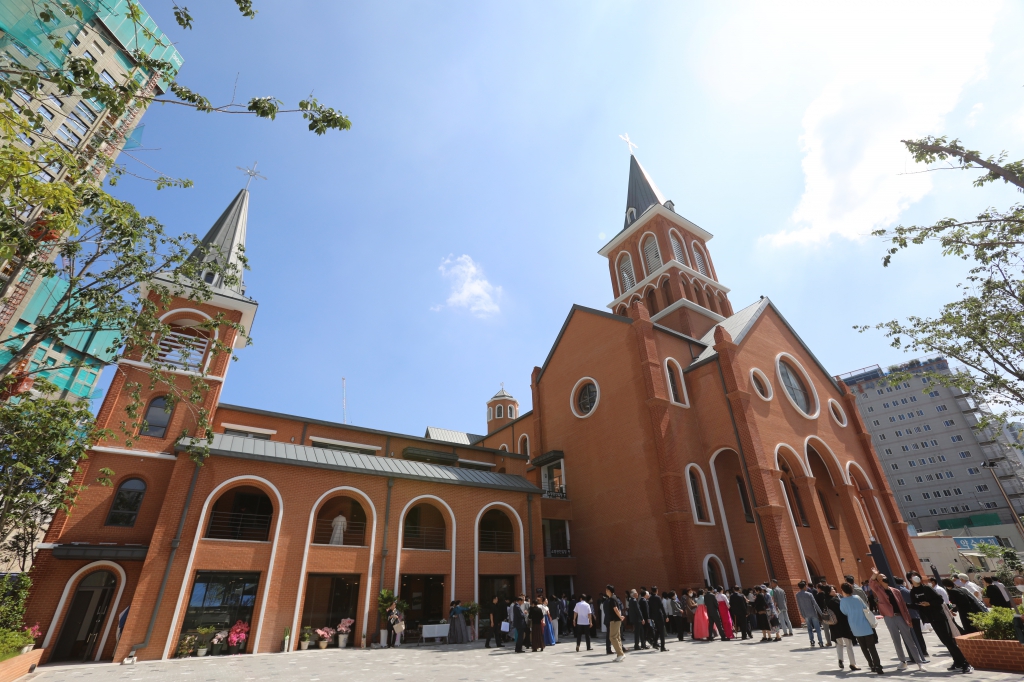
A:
<point x="672" y="442"/>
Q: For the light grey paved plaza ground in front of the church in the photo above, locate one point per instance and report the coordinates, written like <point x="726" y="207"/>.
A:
<point x="789" y="661"/>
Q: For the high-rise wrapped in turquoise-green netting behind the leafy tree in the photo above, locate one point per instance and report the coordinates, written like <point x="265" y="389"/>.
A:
<point x="106" y="35"/>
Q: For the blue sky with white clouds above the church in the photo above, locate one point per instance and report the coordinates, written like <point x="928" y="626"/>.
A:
<point x="435" y="250"/>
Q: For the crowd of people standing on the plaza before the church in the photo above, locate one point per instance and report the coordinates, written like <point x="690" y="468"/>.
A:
<point x="841" y="617"/>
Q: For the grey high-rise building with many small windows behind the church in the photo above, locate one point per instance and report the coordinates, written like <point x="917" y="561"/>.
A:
<point x="945" y="472"/>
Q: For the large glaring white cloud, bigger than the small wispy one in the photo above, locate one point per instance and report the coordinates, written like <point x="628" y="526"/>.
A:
<point x="874" y="76"/>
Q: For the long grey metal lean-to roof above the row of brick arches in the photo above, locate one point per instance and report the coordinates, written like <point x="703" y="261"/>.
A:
<point x="287" y="453"/>
